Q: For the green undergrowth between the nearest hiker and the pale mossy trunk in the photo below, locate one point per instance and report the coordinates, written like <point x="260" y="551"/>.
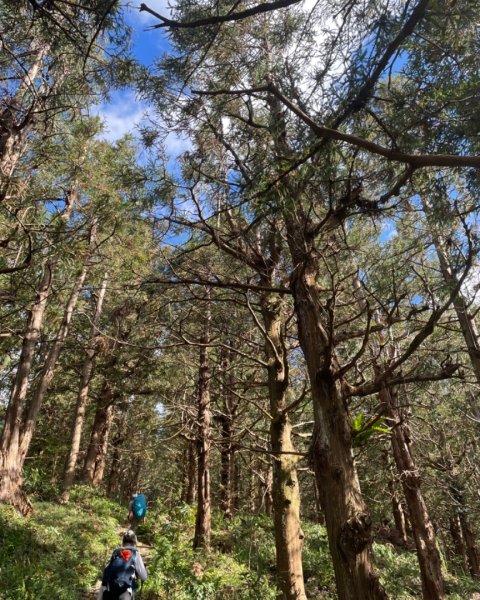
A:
<point x="229" y="570"/>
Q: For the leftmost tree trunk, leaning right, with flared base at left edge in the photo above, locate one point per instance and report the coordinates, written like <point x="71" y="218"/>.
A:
<point x="10" y="453"/>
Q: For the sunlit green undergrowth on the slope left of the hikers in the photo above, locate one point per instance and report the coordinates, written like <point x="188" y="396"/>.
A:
<point x="59" y="552"/>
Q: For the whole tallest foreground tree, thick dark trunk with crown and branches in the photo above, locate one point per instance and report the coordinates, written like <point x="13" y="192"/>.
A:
<point x="268" y="102"/>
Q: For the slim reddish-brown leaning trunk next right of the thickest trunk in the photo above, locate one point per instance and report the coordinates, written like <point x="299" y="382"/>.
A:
<point x="422" y="528"/>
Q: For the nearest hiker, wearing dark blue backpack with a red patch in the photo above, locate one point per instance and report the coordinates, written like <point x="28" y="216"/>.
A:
<point x="120" y="577"/>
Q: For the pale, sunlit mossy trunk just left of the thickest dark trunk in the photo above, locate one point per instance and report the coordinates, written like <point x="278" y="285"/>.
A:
<point x="285" y="485"/>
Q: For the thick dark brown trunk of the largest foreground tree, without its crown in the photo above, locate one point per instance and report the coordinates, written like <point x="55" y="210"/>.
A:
<point x="347" y="520"/>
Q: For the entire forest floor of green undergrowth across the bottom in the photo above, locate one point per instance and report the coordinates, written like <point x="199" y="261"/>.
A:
<point x="60" y="553"/>
